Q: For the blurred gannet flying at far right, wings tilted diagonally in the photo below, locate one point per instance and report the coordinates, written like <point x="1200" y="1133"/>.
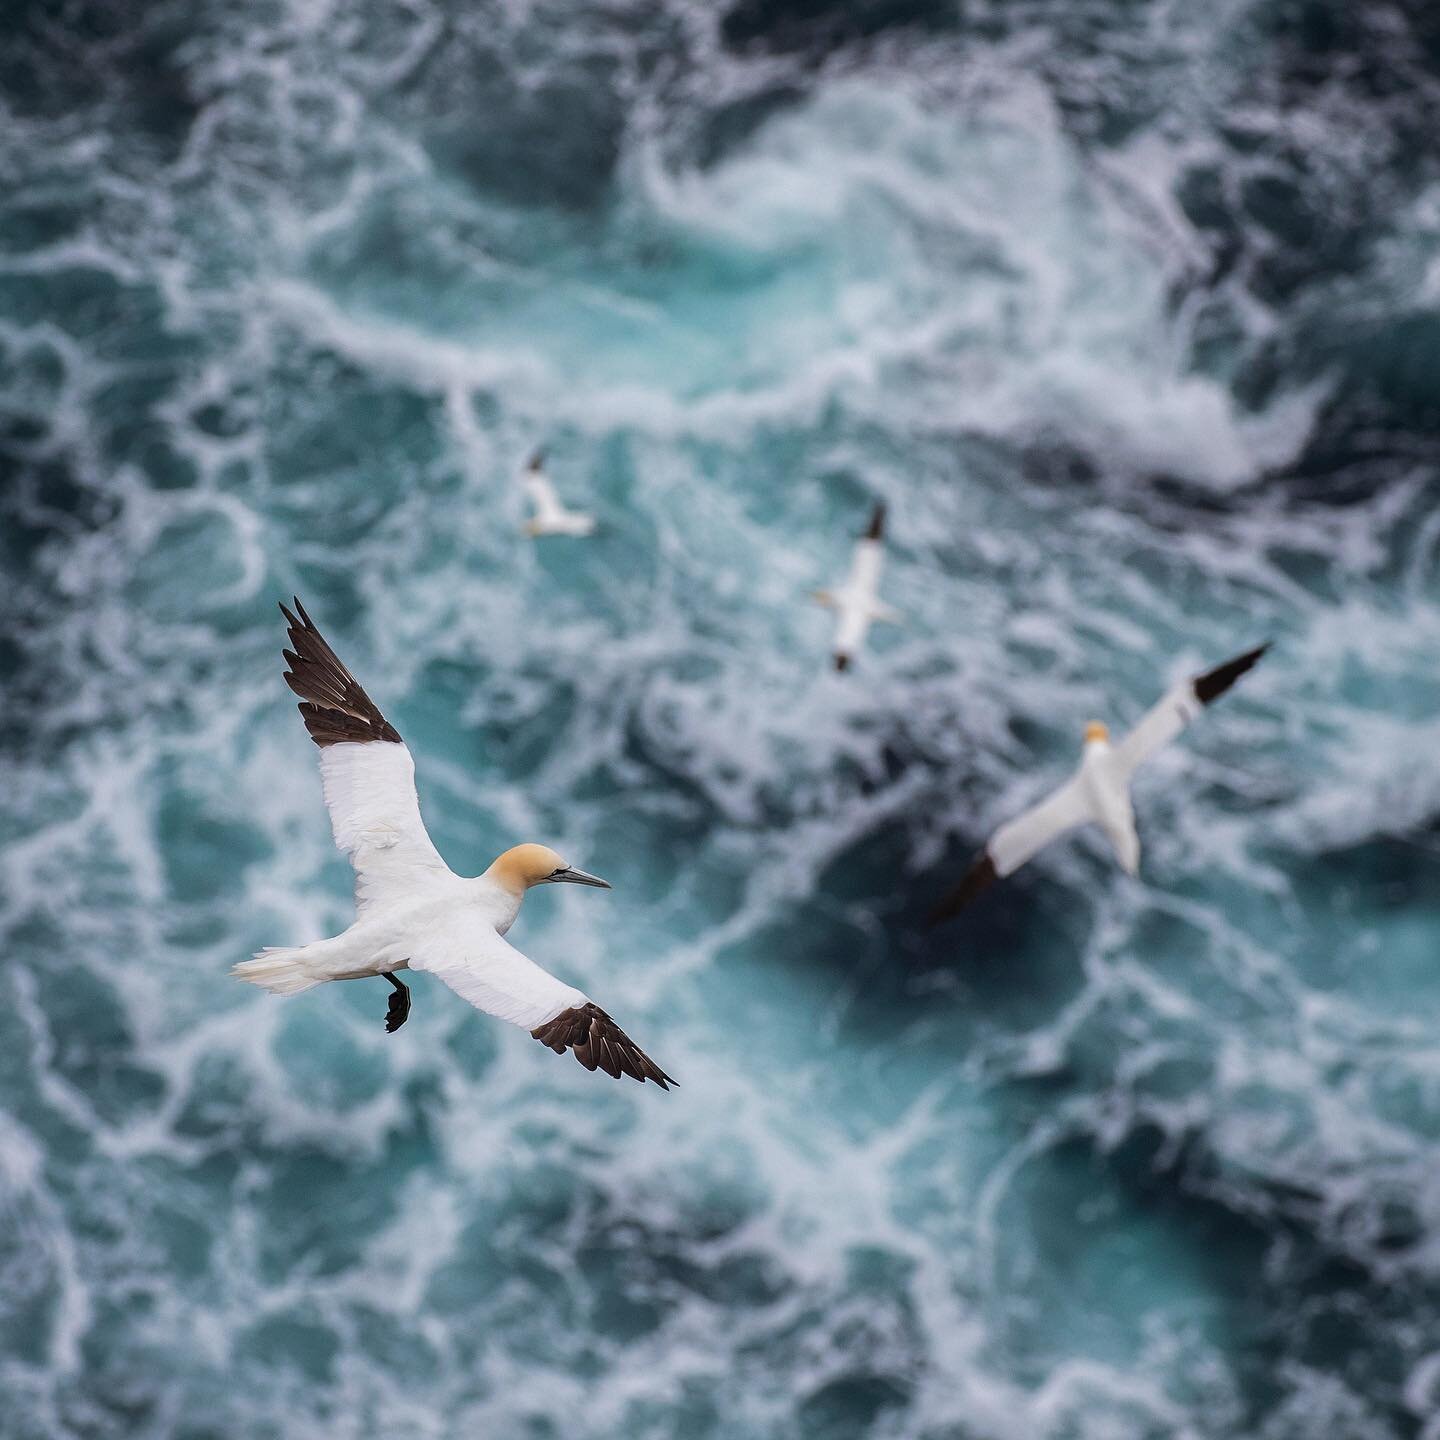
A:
<point x="1101" y="788"/>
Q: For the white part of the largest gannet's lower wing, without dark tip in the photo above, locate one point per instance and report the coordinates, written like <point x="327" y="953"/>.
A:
<point x="490" y="973"/>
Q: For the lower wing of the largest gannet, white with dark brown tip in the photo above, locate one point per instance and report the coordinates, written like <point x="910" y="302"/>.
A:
<point x="495" y="977"/>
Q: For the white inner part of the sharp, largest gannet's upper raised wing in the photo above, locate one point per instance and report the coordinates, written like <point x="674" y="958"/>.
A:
<point x="377" y="820"/>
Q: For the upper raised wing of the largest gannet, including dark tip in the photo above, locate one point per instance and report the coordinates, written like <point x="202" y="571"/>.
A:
<point x="368" y="773"/>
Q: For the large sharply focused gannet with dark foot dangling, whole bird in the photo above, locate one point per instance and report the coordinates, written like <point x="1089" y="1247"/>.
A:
<point x="413" y="911"/>
